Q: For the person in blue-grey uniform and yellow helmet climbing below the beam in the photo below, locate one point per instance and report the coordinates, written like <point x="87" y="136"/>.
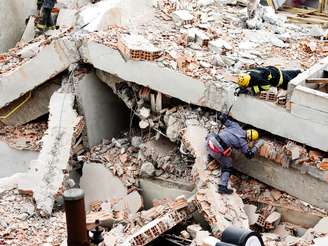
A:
<point x="219" y="147"/>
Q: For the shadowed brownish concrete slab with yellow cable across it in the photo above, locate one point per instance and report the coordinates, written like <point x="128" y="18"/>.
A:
<point x="29" y="107"/>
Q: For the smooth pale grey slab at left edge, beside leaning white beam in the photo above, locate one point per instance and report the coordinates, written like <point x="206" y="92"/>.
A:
<point x="14" y="161"/>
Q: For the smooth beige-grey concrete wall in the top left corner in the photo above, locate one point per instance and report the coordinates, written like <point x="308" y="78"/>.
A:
<point x="12" y="21"/>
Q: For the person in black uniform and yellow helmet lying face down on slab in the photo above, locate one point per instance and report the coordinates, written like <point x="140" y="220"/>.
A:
<point x="262" y="78"/>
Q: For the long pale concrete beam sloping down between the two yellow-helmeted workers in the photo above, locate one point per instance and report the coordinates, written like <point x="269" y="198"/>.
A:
<point x="217" y="96"/>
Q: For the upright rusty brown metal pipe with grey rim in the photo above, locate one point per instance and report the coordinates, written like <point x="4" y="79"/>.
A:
<point x="77" y="234"/>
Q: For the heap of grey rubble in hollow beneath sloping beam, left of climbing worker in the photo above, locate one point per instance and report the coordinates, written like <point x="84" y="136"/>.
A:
<point x="141" y="157"/>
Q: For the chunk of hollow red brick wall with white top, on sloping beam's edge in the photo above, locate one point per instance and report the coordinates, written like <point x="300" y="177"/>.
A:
<point x="136" y="47"/>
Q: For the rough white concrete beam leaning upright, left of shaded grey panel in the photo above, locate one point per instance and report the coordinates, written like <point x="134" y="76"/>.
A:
<point x="46" y="175"/>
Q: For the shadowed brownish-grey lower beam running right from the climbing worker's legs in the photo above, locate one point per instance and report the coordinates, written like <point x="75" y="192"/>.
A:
<point x="290" y="180"/>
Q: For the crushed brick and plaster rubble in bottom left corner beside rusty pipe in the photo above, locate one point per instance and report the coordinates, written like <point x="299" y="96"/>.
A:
<point x="20" y="222"/>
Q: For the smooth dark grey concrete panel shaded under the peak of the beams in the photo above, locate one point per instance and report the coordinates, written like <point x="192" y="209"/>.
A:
<point x="106" y="115"/>
